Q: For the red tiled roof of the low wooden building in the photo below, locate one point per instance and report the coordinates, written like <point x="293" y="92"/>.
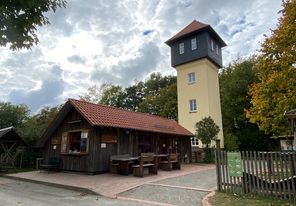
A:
<point x="102" y="115"/>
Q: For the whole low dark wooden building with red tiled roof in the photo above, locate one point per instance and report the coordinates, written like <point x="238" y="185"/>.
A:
<point x="85" y="135"/>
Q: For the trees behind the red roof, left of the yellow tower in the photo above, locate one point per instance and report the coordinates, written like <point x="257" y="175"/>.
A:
<point x="157" y="95"/>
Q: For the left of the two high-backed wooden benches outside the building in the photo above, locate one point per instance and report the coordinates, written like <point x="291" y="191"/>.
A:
<point x="146" y="160"/>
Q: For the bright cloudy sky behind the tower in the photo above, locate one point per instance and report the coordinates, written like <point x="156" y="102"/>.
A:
<point x="93" y="42"/>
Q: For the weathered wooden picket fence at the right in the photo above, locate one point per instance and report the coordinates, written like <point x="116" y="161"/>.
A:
<point x="262" y="173"/>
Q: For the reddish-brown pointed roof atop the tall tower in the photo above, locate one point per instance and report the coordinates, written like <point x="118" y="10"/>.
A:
<point x="195" y="27"/>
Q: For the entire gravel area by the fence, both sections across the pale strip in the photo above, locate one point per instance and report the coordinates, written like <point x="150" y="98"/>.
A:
<point x="176" y="196"/>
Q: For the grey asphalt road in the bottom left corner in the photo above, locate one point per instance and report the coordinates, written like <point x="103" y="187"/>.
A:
<point x="19" y="193"/>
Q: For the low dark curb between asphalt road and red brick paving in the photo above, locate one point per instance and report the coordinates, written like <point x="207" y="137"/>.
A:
<point x="68" y="187"/>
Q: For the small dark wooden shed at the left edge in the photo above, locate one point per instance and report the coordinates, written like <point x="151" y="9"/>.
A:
<point x="11" y="147"/>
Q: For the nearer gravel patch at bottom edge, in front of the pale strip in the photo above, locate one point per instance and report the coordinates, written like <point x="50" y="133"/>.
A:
<point x="168" y="195"/>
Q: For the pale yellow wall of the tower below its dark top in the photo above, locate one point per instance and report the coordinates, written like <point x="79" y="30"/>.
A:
<point x="206" y="92"/>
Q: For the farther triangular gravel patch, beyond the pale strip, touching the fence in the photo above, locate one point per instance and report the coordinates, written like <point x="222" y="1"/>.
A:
<point x="204" y="180"/>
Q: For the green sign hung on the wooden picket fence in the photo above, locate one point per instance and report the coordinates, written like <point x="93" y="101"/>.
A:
<point x="234" y="163"/>
